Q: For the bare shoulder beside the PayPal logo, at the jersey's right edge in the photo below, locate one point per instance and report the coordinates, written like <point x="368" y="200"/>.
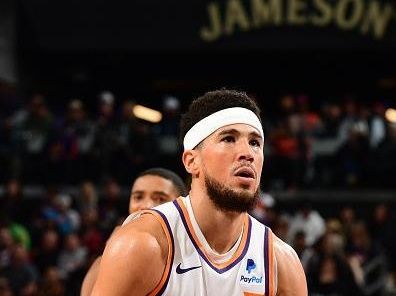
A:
<point x="290" y="273"/>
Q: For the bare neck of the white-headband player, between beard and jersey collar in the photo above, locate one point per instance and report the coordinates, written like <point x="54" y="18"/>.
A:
<point x="220" y="228"/>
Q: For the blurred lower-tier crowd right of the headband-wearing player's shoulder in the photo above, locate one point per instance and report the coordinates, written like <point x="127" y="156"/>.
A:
<point x="346" y="252"/>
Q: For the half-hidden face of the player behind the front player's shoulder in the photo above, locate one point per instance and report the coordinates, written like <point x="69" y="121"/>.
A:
<point x="149" y="191"/>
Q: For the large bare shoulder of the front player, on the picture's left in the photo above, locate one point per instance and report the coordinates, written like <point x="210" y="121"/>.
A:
<point x="134" y="251"/>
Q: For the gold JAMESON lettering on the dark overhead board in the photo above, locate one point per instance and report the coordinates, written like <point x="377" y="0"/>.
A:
<point x="368" y="18"/>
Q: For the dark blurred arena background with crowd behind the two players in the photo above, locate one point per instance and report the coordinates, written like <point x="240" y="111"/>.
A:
<point x="71" y="73"/>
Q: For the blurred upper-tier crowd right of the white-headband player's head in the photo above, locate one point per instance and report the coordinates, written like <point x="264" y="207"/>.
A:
<point x="332" y="144"/>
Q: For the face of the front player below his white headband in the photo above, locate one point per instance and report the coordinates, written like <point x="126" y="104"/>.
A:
<point x="233" y="156"/>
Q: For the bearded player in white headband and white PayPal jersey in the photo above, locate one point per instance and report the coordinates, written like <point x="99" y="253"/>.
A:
<point x="206" y="243"/>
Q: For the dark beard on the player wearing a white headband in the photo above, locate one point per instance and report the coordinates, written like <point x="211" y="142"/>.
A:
<point x="229" y="200"/>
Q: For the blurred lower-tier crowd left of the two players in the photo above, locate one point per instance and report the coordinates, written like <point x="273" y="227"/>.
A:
<point x="48" y="243"/>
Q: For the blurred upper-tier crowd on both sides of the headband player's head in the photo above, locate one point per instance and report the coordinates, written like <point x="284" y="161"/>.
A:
<point x="326" y="144"/>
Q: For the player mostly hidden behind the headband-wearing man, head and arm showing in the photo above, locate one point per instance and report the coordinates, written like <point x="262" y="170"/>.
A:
<point x="151" y="188"/>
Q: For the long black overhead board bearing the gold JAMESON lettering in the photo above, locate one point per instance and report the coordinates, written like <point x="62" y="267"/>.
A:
<point x="175" y="25"/>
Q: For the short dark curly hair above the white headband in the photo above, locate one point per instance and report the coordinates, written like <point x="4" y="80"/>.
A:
<point x="212" y="102"/>
